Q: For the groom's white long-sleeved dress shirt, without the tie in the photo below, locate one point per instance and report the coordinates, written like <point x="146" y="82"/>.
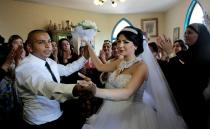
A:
<point x="39" y="93"/>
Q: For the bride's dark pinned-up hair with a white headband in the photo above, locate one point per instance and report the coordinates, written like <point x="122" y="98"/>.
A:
<point x="135" y="35"/>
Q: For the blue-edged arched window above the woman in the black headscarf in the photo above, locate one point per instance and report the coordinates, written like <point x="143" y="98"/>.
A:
<point x="194" y="14"/>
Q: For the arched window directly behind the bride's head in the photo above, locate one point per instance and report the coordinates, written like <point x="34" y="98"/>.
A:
<point x="119" y="26"/>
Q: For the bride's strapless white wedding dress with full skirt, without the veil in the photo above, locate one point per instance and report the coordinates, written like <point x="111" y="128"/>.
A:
<point x="130" y="114"/>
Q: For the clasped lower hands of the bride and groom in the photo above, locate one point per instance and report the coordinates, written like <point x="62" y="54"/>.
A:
<point x="84" y="87"/>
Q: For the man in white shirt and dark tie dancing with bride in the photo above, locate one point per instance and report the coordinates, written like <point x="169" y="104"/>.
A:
<point x="39" y="87"/>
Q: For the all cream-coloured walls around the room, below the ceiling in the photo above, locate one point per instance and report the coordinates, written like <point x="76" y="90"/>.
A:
<point x="20" y="18"/>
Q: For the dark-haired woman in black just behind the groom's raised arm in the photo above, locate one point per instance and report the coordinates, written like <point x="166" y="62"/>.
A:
<point x="66" y="54"/>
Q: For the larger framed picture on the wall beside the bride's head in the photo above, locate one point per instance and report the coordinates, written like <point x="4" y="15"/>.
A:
<point x="150" y="26"/>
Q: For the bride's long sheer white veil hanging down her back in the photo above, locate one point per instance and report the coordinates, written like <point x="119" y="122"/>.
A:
<point x="157" y="94"/>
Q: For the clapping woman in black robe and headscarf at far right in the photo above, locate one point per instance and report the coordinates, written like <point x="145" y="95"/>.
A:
<point x="189" y="79"/>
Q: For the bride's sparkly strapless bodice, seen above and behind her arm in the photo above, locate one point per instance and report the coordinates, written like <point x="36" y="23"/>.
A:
<point x="120" y="81"/>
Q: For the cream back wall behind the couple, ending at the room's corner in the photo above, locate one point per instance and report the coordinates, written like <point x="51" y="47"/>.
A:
<point x="20" y="18"/>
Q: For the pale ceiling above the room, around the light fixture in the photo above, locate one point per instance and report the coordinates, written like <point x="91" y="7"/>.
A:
<point x="129" y="6"/>
